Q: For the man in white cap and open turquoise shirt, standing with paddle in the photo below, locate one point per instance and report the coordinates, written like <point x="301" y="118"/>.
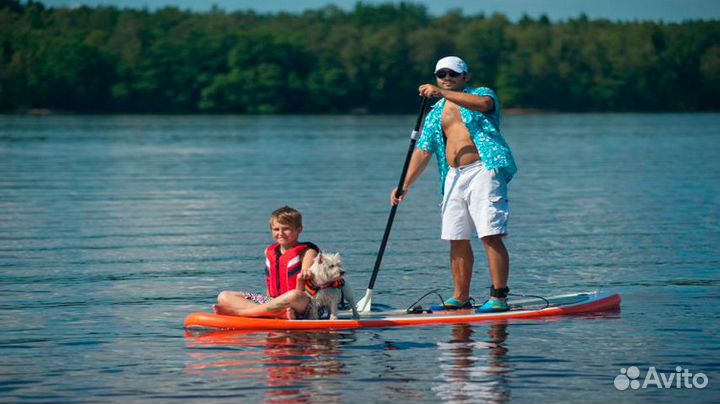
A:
<point x="476" y="164"/>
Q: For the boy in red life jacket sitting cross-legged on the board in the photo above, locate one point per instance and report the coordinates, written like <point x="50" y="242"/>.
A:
<point x="287" y="266"/>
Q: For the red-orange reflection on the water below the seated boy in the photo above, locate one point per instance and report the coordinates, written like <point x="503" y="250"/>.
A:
<point x="293" y="366"/>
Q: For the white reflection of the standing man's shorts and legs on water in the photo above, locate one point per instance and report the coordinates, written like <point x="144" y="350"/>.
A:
<point x="473" y="368"/>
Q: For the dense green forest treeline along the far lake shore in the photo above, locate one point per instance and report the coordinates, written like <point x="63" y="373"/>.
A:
<point x="371" y="58"/>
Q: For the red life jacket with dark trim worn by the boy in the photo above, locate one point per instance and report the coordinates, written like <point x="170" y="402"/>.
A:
<point x="281" y="270"/>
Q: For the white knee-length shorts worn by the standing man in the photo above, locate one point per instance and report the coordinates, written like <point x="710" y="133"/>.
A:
<point x="475" y="200"/>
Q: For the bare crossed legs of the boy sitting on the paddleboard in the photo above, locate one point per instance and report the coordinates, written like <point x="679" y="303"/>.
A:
<point x="234" y="305"/>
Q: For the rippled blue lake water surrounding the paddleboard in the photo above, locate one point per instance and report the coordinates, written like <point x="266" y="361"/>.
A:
<point x="113" y="229"/>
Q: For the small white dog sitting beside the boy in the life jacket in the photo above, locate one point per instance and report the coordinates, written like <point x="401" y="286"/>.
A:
<point x="328" y="286"/>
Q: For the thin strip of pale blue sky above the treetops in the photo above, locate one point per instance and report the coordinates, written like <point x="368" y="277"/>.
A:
<point x="625" y="10"/>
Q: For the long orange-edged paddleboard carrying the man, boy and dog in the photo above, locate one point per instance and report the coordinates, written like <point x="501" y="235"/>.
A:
<point x="523" y="308"/>
